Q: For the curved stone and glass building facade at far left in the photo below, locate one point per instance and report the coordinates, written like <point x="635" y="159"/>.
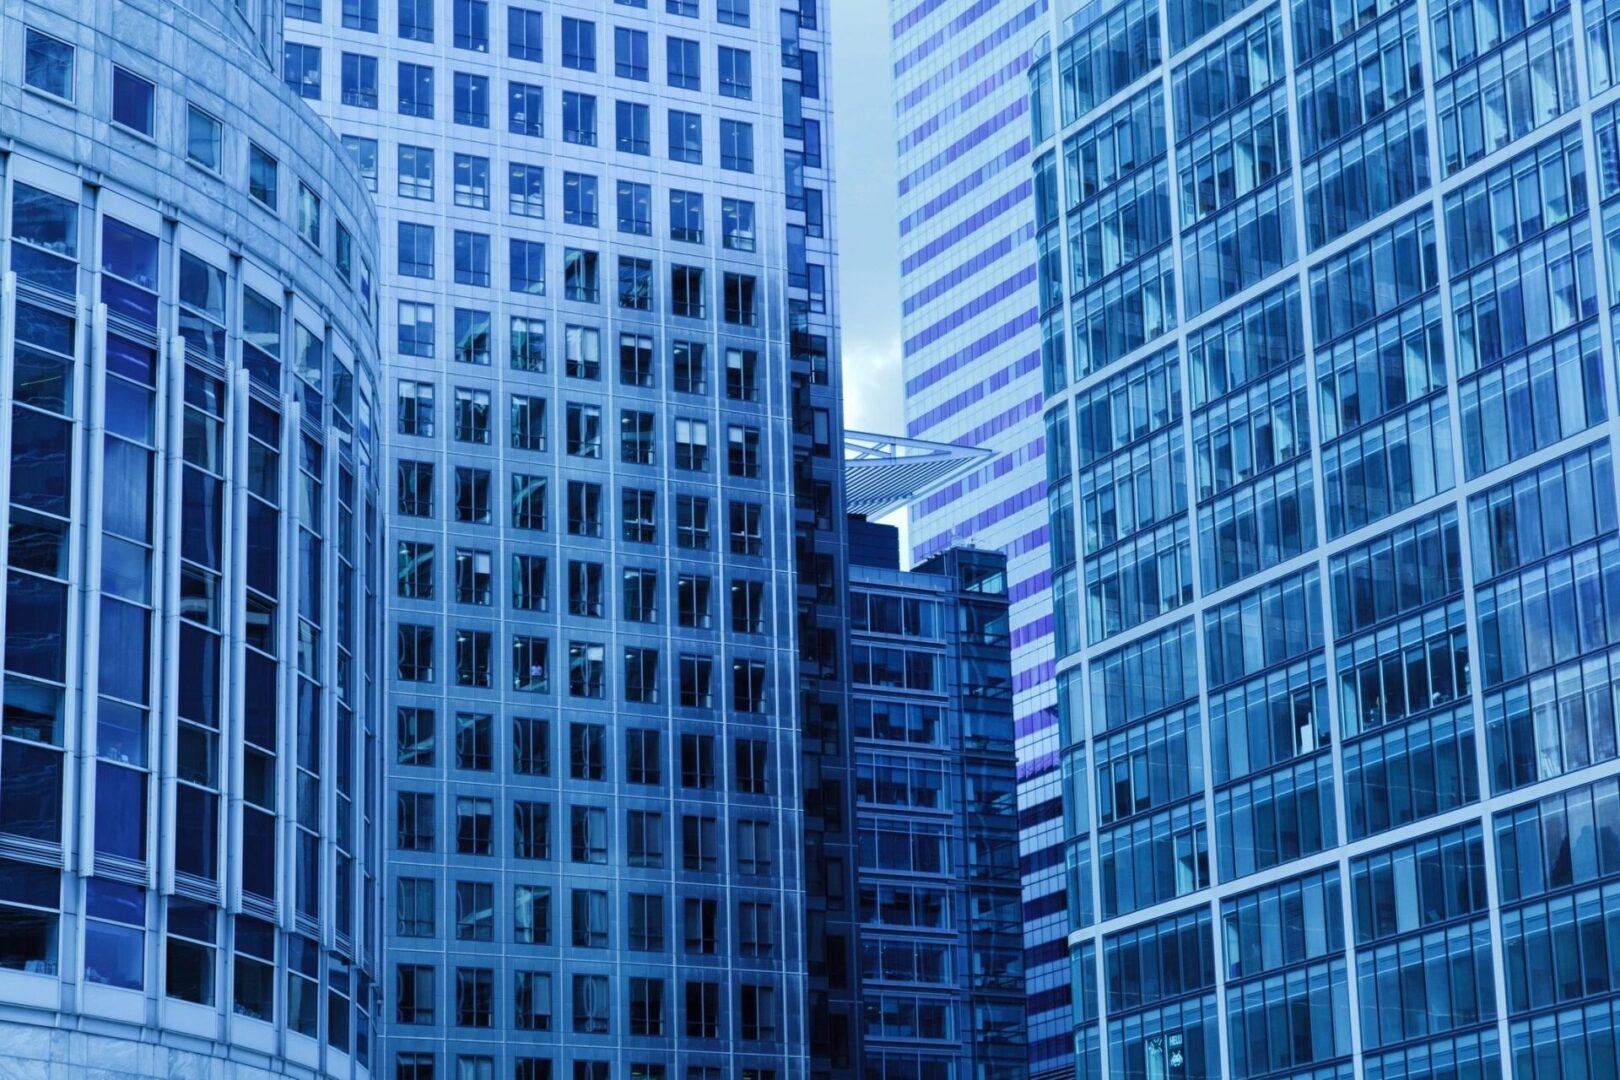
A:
<point x="187" y="827"/>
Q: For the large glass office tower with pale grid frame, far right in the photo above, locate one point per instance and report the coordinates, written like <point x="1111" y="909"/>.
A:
<point x="1334" y="534"/>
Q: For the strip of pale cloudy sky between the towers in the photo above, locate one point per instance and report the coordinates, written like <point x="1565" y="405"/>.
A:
<point x="868" y="216"/>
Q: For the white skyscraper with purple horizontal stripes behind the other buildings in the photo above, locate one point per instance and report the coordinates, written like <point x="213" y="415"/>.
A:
<point x="973" y="346"/>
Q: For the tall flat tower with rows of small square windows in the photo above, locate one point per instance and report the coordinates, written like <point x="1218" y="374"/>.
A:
<point x="610" y="419"/>
